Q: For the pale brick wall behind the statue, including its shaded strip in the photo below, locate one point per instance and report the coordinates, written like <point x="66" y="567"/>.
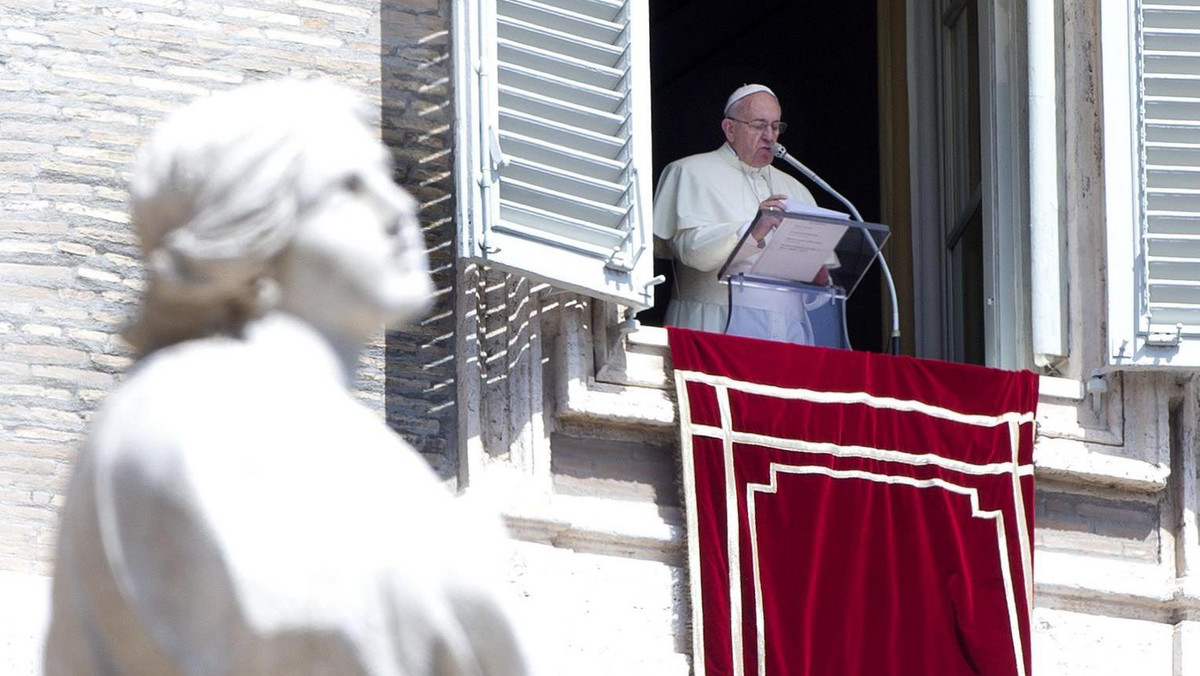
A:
<point x="81" y="86"/>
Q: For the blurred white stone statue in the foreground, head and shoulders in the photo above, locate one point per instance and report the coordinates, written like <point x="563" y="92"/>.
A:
<point x="235" y="510"/>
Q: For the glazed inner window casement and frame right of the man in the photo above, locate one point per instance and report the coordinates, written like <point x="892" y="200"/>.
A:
<point x="969" y="172"/>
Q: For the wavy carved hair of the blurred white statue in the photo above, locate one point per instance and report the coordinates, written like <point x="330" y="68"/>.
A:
<point x="217" y="195"/>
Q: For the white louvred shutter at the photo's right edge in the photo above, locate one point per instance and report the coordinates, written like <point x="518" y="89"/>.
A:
<point x="1153" y="180"/>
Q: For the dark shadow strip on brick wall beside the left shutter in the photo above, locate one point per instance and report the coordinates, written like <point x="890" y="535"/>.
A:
<point x="417" y="118"/>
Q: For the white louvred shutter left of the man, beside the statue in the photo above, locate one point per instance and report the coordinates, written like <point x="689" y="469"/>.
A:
<point x="554" y="142"/>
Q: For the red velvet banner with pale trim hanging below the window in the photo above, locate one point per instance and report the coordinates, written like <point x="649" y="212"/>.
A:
<point x="855" y="513"/>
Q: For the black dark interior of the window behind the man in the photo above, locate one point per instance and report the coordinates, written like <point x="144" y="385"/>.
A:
<point x="821" y="61"/>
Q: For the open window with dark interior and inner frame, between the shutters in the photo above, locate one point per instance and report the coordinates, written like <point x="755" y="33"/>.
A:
<point x="915" y="110"/>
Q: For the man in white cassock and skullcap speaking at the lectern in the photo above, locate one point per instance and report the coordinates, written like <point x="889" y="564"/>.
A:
<point x="703" y="206"/>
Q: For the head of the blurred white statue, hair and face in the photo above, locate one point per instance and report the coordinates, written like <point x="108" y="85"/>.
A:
<point x="274" y="196"/>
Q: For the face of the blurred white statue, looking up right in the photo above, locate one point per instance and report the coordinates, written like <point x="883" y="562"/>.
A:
<point x="358" y="260"/>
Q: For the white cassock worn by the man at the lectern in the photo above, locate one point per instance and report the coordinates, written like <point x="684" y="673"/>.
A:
<point x="700" y="207"/>
